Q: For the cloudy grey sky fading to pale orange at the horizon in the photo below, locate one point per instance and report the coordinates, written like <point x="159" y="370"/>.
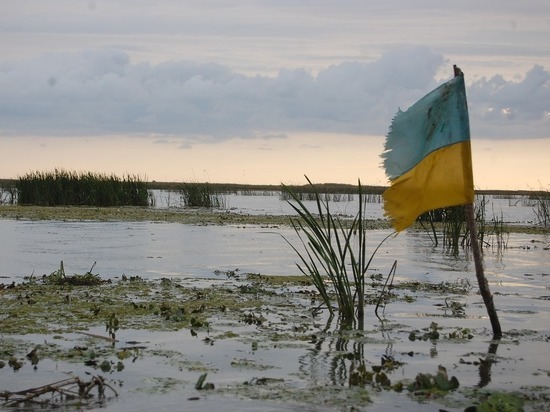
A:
<point x="266" y="91"/>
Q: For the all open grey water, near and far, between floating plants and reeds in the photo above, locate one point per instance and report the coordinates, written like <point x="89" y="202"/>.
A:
<point x="519" y="278"/>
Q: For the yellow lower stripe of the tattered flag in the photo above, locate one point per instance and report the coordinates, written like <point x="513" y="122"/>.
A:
<point x="443" y="178"/>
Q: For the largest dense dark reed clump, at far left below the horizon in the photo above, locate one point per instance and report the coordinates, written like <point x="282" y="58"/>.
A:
<point x="63" y="188"/>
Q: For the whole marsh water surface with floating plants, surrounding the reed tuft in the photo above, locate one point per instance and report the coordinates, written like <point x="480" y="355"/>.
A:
<point x="209" y="302"/>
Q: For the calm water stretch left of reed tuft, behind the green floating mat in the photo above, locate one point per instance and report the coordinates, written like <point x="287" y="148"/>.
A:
<point x="146" y="249"/>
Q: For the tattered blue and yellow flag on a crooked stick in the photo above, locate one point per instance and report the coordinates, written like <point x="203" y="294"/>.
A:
<point x="428" y="157"/>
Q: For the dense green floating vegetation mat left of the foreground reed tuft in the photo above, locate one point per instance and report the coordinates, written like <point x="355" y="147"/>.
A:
<point x="58" y="303"/>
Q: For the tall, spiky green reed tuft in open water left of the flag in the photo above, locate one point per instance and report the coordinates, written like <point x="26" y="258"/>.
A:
<point x="332" y="249"/>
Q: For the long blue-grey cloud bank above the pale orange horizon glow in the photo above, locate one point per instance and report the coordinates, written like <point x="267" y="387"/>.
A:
<point x="102" y="92"/>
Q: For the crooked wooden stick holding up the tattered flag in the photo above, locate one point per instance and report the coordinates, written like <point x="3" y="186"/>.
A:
<point x="476" y="250"/>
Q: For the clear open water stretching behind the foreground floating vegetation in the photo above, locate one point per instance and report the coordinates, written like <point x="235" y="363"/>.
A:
<point x="156" y="250"/>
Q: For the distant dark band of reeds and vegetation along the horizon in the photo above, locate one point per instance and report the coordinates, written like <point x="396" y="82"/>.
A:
<point x="69" y="188"/>
